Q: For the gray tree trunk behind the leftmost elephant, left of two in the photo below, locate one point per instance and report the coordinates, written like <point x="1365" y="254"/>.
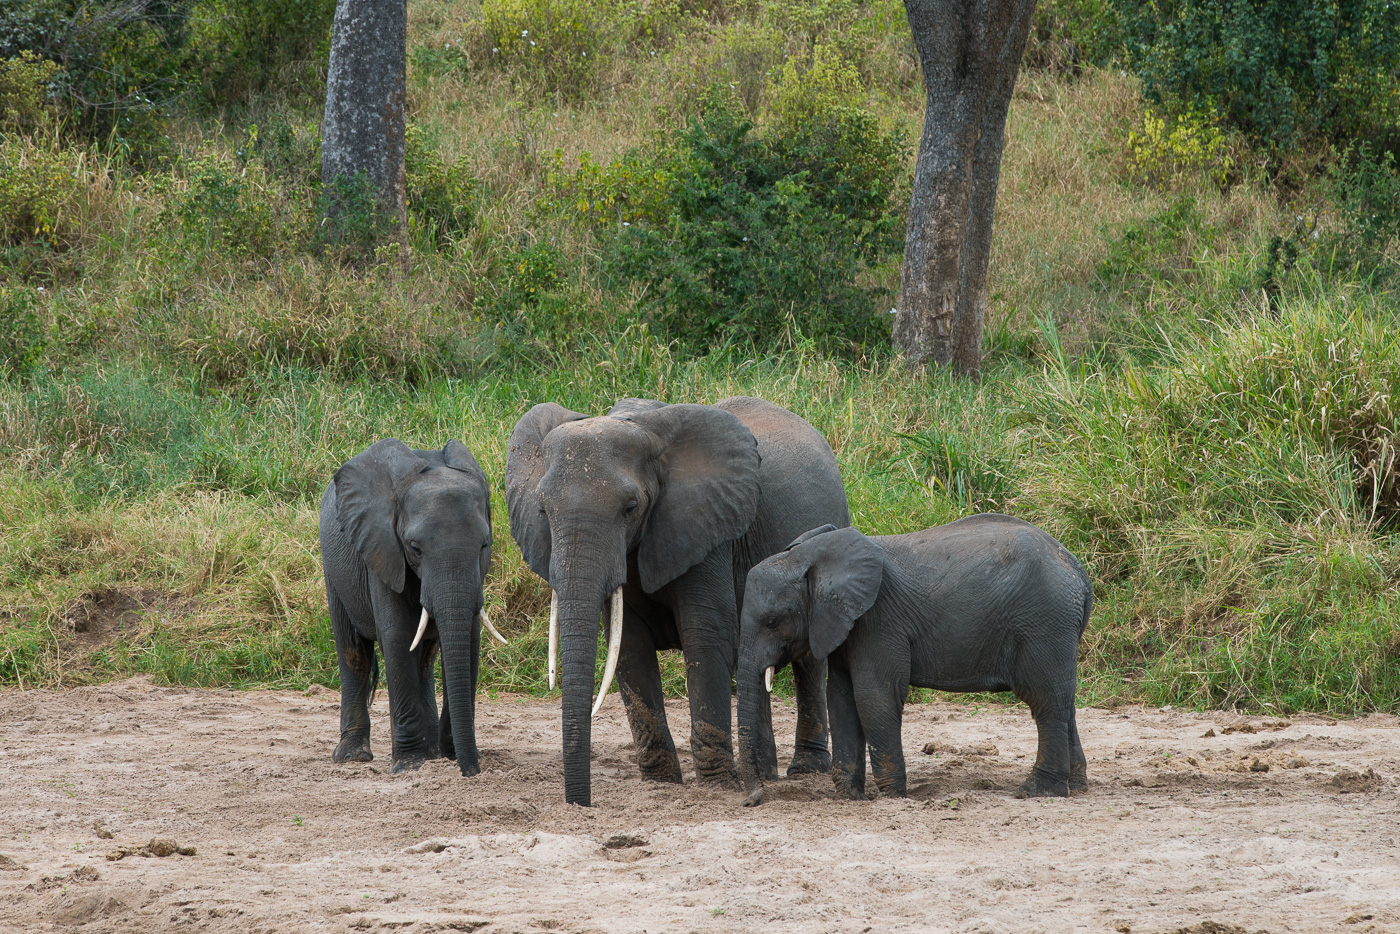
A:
<point x="362" y="137"/>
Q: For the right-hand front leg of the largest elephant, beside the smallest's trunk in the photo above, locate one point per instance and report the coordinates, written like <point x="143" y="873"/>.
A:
<point x="709" y="625"/>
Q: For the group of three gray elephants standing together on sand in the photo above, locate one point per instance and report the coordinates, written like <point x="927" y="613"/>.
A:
<point x="717" y="530"/>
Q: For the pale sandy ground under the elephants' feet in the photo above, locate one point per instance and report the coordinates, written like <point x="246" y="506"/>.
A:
<point x="1283" y="830"/>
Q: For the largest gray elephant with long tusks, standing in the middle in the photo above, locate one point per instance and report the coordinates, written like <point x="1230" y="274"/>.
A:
<point x="674" y="503"/>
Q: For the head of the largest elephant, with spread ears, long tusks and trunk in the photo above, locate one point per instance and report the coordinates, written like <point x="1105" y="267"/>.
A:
<point x="660" y="484"/>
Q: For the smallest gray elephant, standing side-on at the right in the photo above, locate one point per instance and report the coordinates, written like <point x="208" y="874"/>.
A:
<point x="988" y="603"/>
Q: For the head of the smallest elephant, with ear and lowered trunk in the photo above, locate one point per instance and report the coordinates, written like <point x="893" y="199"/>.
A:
<point x="797" y="603"/>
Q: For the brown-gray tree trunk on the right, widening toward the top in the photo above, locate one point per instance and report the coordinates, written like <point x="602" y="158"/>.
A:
<point x="971" y="53"/>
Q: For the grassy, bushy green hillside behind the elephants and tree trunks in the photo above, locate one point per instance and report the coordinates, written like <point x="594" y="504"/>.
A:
<point x="1192" y="352"/>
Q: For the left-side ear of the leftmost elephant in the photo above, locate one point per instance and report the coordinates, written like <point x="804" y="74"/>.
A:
<point x="367" y="505"/>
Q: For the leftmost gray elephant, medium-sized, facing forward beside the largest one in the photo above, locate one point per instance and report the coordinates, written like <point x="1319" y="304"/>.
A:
<point x="401" y="531"/>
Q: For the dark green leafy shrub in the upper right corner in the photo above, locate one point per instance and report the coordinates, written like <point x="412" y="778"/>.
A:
<point x="1280" y="71"/>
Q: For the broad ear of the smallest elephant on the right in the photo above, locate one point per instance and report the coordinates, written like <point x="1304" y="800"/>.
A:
<point x="845" y="572"/>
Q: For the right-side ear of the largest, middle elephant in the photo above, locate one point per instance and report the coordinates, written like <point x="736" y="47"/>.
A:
<point x="709" y="478"/>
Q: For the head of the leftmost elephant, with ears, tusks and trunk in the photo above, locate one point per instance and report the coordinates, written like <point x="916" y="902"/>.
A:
<point x="422" y="523"/>
